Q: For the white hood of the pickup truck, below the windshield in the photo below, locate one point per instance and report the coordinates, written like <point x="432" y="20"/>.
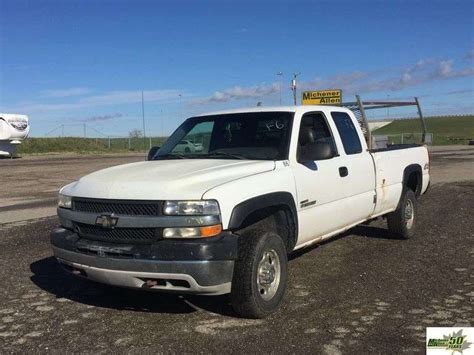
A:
<point x="164" y="179"/>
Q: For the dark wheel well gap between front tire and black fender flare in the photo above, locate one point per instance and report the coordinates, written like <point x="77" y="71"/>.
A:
<point x="275" y="218"/>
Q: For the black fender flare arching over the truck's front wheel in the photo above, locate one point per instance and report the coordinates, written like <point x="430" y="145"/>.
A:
<point x="247" y="207"/>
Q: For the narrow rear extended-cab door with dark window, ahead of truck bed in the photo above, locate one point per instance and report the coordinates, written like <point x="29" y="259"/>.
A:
<point x="357" y="162"/>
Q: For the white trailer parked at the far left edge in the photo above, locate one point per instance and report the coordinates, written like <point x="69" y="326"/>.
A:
<point x="13" y="129"/>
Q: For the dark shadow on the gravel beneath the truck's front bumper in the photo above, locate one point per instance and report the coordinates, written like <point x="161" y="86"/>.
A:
<point x="50" y="277"/>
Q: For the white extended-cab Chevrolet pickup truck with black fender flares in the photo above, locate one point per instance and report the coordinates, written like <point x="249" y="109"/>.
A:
<point x="223" y="219"/>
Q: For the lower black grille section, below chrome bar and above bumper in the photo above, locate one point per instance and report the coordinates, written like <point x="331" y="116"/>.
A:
<point x="118" y="235"/>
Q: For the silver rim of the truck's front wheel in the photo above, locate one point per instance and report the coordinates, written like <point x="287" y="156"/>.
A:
<point x="268" y="274"/>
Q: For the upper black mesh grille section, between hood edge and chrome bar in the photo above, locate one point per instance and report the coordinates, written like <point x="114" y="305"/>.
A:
<point x="120" y="207"/>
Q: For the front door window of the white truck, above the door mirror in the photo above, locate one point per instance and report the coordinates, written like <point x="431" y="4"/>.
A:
<point x="314" y="129"/>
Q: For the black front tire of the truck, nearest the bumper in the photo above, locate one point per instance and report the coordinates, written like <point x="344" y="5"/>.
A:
<point x="246" y="298"/>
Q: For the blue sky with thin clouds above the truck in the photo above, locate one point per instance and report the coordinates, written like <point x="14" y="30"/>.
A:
<point x="76" y="62"/>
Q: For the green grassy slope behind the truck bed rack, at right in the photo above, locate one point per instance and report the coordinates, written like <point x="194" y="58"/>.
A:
<point x="445" y="130"/>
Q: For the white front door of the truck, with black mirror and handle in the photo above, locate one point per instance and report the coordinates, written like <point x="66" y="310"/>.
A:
<point x="320" y="184"/>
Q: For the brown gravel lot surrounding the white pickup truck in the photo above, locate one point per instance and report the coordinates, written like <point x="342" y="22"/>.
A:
<point x="360" y="292"/>
